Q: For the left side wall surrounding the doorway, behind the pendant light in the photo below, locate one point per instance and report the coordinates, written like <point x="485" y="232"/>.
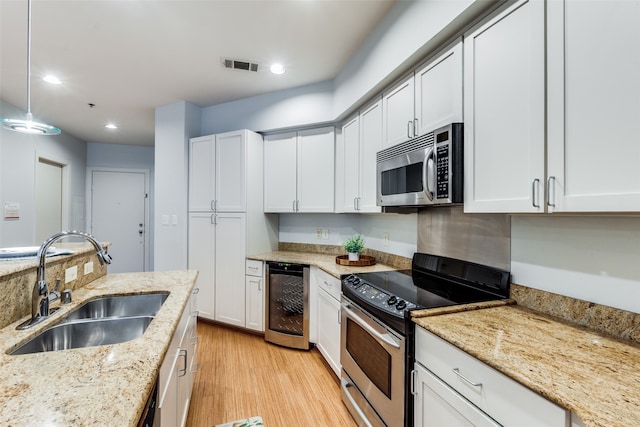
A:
<point x="17" y="178"/>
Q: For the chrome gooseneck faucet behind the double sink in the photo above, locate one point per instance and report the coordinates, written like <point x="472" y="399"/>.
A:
<point x="40" y="297"/>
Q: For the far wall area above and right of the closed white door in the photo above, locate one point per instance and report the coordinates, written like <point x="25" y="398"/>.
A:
<point x="119" y="156"/>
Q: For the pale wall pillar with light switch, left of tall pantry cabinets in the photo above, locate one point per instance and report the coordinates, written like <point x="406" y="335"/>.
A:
<point x="175" y="124"/>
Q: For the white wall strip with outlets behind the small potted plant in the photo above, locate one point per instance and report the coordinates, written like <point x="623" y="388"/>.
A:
<point x="402" y="229"/>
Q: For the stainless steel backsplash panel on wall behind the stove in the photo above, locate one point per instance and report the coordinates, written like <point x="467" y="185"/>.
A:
<point x="480" y="238"/>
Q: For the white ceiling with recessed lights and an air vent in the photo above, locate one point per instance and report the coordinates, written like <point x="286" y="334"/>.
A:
<point x="130" y="56"/>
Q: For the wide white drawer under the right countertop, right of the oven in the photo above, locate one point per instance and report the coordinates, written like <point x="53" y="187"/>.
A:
<point x="505" y="400"/>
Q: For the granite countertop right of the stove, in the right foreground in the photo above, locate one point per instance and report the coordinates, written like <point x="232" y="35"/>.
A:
<point x="592" y="374"/>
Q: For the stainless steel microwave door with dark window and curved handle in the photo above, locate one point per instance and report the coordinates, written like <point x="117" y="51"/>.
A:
<point x="408" y="179"/>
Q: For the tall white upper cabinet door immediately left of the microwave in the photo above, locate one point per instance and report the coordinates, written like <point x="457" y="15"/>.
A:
<point x="370" y="144"/>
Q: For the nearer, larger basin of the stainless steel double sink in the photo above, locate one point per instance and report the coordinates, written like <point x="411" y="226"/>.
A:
<point x="86" y="333"/>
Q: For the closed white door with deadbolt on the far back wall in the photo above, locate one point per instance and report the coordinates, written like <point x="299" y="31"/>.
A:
<point x="118" y="215"/>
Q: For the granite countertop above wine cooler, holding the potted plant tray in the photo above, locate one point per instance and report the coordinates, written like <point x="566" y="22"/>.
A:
<point x="325" y="262"/>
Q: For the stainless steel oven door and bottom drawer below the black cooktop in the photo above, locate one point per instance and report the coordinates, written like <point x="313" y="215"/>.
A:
<point x="373" y="363"/>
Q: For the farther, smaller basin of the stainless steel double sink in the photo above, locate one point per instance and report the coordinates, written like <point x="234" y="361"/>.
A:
<point x="119" y="306"/>
